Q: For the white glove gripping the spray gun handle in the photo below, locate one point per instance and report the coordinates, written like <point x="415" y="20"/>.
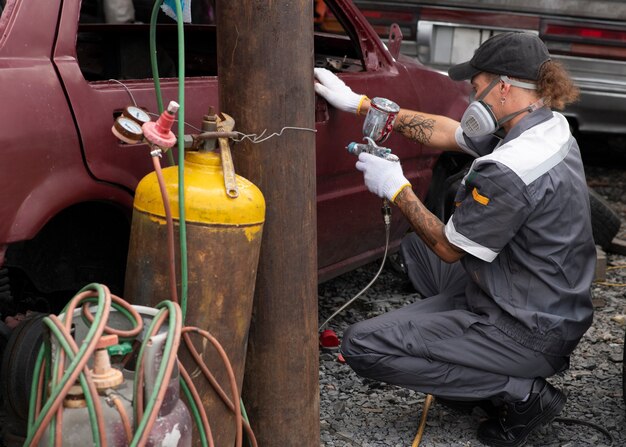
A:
<point x="382" y="177"/>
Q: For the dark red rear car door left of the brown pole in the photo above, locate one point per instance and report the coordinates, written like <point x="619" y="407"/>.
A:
<point x="106" y="67"/>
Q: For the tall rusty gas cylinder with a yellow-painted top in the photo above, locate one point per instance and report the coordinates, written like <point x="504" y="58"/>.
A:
<point x="223" y="244"/>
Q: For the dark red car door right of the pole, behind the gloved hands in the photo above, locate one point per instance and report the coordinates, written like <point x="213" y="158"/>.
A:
<point x="351" y="230"/>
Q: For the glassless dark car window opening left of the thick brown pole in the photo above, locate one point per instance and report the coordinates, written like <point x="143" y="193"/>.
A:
<point x="114" y="39"/>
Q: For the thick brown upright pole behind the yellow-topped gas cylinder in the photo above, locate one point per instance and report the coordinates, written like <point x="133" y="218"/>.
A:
<point x="265" y="68"/>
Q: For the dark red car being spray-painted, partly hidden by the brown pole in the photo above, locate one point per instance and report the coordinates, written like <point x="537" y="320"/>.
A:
<point x="66" y="183"/>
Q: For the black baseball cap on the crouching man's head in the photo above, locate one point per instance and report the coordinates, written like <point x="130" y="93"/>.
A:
<point x="515" y="54"/>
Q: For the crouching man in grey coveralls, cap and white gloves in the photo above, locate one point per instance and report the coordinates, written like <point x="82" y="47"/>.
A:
<point x="507" y="279"/>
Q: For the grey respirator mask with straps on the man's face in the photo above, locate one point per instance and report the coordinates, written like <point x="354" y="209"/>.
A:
<point x="479" y="120"/>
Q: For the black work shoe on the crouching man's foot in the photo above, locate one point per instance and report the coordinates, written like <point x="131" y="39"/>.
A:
<point x="518" y="419"/>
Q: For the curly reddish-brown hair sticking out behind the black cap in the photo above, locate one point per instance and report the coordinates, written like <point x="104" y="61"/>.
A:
<point x="555" y="85"/>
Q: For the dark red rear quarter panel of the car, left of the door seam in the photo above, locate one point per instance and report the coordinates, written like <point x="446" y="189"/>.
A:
<point x="40" y="150"/>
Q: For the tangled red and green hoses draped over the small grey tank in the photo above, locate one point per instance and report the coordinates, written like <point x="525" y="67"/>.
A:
<point x="46" y="406"/>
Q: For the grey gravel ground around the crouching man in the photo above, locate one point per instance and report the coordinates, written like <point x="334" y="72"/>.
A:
<point x="361" y="412"/>
